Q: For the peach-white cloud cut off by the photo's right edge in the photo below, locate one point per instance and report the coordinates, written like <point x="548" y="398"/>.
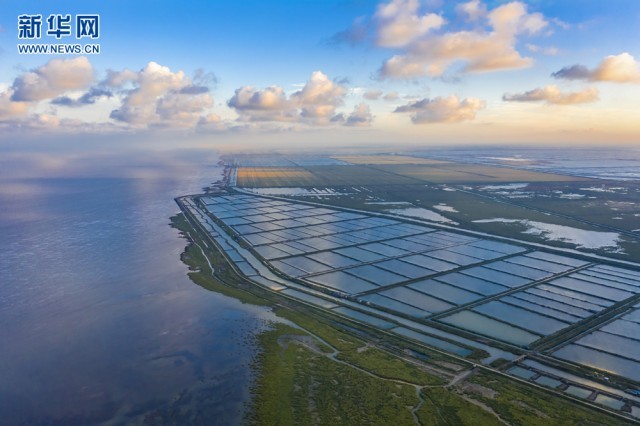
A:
<point x="622" y="68"/>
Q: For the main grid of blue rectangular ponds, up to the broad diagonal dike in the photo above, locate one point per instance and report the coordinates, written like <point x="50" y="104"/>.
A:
<point x="421" y="271"/>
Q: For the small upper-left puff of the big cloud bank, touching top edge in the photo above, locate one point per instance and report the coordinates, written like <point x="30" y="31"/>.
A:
<point x="399" y="23"/>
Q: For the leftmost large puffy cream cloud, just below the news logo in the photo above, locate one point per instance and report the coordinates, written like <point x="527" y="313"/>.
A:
<point x="52" y="79"/>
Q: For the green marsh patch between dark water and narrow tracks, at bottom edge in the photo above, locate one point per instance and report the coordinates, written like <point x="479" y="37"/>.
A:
<point x="298" y="386"/>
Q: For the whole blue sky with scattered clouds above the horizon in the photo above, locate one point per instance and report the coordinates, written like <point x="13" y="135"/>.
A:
<point x="331" y="73"/>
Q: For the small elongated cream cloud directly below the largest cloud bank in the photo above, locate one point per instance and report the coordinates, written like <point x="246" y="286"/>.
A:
<point x="442" y="110"/>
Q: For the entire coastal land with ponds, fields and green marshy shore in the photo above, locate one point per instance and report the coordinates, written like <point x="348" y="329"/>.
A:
<point x="430" y="288"/>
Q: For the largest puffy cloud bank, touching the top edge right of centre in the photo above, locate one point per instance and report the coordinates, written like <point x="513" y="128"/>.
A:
<point x="483" y="40"/>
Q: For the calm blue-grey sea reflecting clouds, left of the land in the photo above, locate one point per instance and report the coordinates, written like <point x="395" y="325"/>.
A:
<point x="98" y="320"/>
